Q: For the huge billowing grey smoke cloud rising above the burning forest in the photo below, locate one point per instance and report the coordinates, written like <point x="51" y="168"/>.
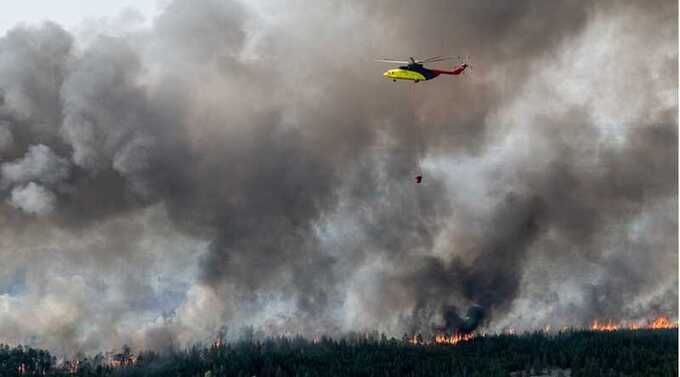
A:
<point x="238" y="165"/>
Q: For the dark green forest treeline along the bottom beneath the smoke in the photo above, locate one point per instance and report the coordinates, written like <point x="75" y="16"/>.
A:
<point x="640" y="353"/>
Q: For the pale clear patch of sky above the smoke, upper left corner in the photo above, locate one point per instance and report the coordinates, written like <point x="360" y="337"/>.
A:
<point x="69" y="13"/>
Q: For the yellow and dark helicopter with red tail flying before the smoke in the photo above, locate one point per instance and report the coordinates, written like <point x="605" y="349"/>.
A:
<point x="414" y="70"/>
